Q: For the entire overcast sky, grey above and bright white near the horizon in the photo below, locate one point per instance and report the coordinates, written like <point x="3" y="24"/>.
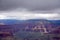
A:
<point x="29" y="8"/>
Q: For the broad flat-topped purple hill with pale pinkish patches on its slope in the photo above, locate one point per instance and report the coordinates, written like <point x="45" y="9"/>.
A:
<point x="43" y="26"/>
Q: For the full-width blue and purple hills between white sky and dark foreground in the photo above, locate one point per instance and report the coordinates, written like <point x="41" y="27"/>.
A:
<point x="35" y="25"/>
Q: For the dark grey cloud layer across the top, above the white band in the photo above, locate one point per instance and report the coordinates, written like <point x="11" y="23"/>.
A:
<point x="32" y="5"/>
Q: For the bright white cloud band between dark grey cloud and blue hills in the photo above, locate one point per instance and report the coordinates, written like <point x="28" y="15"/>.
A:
<point x="30" y="15"/>
